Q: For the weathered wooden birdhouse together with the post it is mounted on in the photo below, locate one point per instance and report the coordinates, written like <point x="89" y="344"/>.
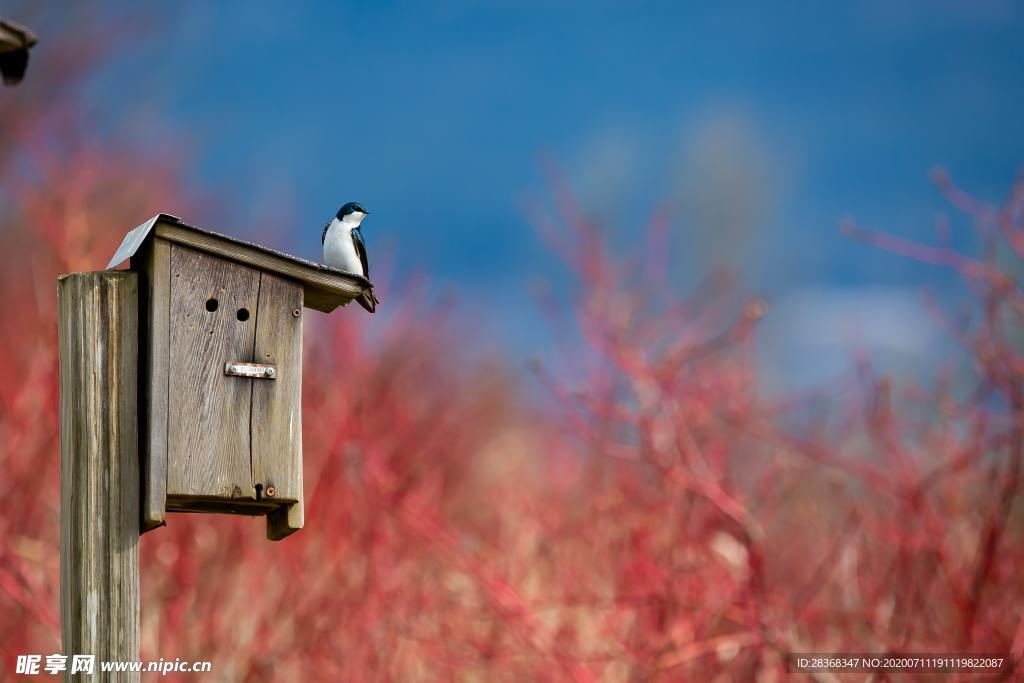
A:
<point x="181" y="391"/>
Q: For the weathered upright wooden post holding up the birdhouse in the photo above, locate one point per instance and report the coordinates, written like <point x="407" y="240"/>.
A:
<point x="100" y="478"/>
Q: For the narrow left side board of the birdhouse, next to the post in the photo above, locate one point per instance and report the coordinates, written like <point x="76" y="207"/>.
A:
<point x="153" y="264"/>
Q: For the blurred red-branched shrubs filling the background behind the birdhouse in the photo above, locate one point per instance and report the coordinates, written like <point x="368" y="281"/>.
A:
<point x="655" y="520"/>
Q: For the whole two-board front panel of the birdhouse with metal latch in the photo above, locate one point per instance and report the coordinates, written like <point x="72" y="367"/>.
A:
<point x="234" y="433"/>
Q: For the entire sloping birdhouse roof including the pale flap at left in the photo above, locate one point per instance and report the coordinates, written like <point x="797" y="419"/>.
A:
<point x="325" y="288"/>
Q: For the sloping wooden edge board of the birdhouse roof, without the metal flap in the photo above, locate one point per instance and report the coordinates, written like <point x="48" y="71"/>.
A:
<point x="325" y="290"/>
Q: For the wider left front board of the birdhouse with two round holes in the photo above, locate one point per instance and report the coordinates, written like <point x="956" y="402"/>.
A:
<point x="208" y="442"/>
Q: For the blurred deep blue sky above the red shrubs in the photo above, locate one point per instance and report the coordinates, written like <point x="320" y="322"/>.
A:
<point x="764" y="123"/>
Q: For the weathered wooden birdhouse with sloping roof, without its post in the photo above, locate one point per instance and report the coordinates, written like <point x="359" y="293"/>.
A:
<point x="221" y="371"/>
